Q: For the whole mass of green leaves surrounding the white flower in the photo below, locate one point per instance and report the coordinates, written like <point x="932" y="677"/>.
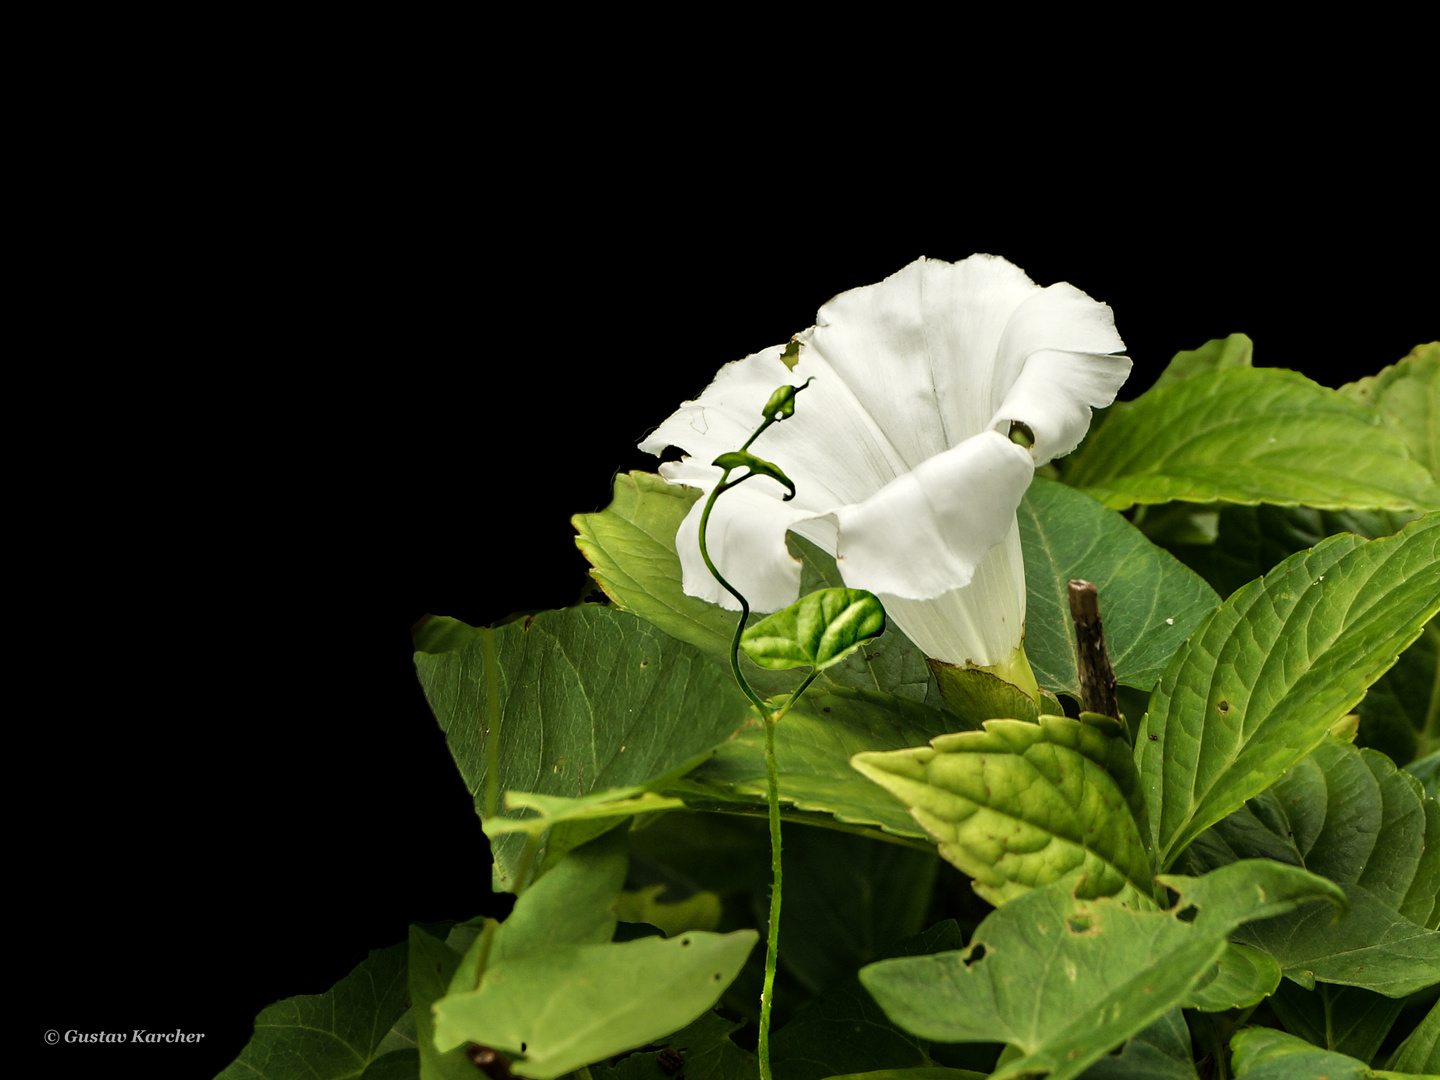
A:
<point x="1232" y="879"/>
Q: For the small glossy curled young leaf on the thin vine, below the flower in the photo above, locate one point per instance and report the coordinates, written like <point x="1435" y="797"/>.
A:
<point x="816" y="631"/>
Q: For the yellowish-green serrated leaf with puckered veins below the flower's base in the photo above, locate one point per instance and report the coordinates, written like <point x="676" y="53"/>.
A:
<point x="1025" y="804"/>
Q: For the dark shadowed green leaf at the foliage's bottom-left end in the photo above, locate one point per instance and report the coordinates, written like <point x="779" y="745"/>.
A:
<point x="335" y="1036"/>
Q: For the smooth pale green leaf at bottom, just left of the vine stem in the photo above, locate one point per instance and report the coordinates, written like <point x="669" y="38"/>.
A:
<point x="565" y="1007"/>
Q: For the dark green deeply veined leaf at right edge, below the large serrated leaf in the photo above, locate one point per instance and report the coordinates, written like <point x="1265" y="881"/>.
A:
<point x="1349" y="816"/>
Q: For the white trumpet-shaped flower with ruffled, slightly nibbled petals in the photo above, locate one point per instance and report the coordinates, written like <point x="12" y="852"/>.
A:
<point x="901" y="447"/>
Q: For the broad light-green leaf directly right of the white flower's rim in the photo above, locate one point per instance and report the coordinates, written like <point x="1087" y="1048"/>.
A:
<point x="1249" y="436"/>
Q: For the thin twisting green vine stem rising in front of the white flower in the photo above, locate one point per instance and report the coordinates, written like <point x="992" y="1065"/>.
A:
<point x="780" y="407"/>
